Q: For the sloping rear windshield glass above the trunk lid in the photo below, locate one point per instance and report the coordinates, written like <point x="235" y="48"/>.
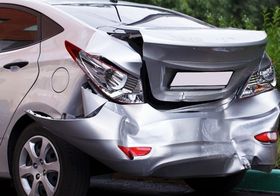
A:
<point x="99" y="15"/>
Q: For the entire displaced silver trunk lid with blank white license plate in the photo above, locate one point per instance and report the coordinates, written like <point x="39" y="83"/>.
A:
<point x="197" y="65"/>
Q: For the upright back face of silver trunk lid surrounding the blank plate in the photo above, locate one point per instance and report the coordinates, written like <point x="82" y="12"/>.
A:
<point x="167" y="60"/>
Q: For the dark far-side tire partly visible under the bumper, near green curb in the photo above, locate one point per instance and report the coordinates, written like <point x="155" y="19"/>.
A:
<point x="217" y="184"/>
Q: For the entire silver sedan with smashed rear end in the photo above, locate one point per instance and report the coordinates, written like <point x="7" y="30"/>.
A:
<point x="90" y="87"/>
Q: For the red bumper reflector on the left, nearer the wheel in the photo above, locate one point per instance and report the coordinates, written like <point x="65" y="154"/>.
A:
<point x="132" y="152"/>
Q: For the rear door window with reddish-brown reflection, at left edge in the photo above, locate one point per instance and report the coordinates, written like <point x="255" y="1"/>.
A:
<point x="18" y="28"/>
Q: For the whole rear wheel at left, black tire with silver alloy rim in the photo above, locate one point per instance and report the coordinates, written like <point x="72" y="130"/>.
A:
<point x="45" y="165"/>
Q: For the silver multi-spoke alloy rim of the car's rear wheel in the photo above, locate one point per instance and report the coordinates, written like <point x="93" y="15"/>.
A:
<point x="39" y="167"/>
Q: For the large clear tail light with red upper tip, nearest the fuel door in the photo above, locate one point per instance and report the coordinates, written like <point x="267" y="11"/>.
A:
<point x="108" y="79"/>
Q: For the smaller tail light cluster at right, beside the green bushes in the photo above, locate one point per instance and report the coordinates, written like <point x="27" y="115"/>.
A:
<point x="262" y="80"/>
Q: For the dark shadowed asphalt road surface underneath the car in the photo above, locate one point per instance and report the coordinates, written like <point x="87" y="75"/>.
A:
<point x="125" y="187"/>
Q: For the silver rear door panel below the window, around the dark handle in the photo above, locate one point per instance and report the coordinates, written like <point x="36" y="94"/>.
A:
<point x="16" y="82"/>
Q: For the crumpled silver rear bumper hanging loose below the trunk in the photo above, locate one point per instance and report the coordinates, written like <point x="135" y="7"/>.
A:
<point x="215" y="142"/>
